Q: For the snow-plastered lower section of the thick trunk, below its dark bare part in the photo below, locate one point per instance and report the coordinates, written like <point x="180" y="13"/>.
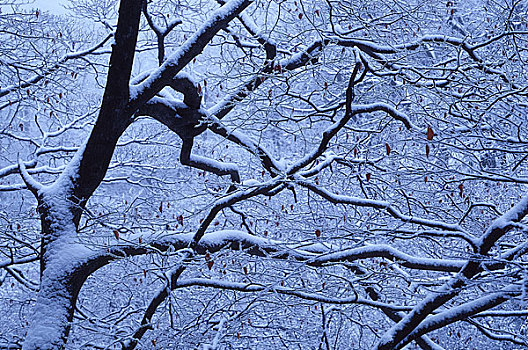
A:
<point x="62" y="270"/>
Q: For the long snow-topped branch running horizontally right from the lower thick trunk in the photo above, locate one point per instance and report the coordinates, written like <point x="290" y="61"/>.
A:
<point x="312" y="254"/>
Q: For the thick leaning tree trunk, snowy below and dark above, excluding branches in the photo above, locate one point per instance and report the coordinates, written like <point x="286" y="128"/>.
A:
<point x="60" y="205"/>
